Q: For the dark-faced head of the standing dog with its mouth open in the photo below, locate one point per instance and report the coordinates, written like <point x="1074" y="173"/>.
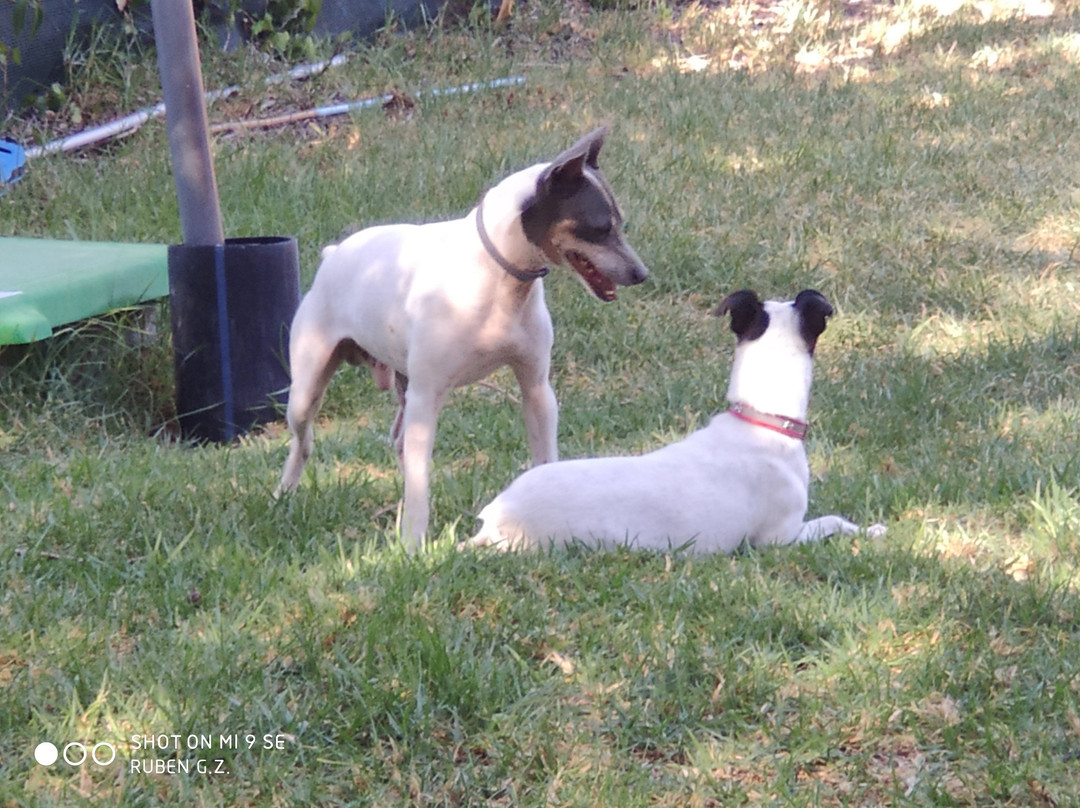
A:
<point x="574" y="219"/>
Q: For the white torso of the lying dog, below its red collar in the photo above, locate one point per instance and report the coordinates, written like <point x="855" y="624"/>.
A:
<point x="707" y="489"/>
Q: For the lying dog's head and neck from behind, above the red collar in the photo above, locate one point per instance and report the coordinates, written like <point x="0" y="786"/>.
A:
<point x="776" y="342"/>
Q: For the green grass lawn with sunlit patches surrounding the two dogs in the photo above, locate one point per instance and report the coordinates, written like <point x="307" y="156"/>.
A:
<point x="919" y="165"/>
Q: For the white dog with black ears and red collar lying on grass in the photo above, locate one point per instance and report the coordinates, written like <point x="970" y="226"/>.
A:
<point x="744" y="478"/>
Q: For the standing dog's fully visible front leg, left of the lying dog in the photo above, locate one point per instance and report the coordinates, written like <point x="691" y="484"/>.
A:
<point x="418" y="432"/>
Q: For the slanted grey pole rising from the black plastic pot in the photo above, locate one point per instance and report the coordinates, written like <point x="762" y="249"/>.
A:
<point x="174" y="26"/>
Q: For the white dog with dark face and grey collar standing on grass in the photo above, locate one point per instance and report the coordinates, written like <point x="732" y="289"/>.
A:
<point x="434" y="307"/>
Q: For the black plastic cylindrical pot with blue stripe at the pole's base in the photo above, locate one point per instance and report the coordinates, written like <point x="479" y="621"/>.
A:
<point x="232" y="308"/>
